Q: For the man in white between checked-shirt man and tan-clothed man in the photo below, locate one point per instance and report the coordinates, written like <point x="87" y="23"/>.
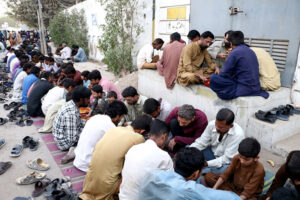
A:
<point x="94" y="130"/>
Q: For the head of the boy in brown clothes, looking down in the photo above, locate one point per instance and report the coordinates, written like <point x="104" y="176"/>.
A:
<point x="249" y="149"/>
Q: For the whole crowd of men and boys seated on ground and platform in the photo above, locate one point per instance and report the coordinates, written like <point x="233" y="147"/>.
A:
<point x="134" y="147"/>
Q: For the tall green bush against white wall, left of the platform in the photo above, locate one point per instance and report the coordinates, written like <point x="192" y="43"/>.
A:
<point x="119" y="34"/>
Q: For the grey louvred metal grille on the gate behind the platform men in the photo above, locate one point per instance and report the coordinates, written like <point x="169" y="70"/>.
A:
<point x="278" y="49"/>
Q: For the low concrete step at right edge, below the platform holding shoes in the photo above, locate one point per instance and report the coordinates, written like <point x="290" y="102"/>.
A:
<point x="284" y="147"/>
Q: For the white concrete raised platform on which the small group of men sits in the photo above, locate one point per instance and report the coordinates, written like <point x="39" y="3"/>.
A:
<point x="151" y="84"/>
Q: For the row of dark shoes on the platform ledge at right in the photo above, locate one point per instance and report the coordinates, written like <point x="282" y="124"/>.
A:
<point x="281" y="112"/>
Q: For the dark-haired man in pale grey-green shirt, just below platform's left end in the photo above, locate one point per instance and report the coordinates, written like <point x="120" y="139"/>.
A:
<point x="134" y="103"/>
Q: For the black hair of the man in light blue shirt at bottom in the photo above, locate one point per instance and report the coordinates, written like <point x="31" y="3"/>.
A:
<point x="189" y="160"/>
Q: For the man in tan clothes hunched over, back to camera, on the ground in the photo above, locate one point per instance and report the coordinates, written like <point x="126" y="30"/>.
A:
<point x="103" y="178"/>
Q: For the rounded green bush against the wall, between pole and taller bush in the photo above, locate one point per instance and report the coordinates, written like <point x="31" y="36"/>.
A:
<point x="70" y="27"/>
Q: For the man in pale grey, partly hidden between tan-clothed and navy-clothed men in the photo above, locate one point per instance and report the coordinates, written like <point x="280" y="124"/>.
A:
<point x="219" y="50"/>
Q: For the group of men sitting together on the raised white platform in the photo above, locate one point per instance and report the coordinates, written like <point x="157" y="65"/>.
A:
<point x="231" y="67"/>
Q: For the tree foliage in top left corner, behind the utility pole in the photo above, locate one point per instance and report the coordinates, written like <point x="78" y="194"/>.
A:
<point x="26" y="10"/>
